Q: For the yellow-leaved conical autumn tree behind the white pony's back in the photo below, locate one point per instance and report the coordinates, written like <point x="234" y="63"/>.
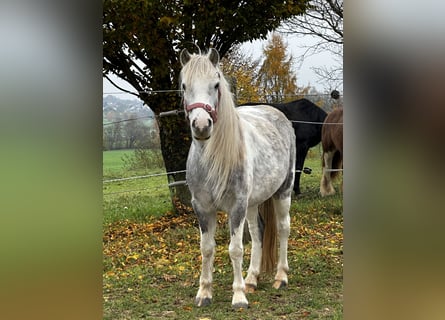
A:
<point x="277" y="82"/>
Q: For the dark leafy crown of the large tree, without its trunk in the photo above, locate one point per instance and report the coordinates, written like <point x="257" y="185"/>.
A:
<point x="153" y="30"/>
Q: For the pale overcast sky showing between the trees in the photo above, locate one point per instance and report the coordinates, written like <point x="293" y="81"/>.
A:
<point x="305" y="75"/>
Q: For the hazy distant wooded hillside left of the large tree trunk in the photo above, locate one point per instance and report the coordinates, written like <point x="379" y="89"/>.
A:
<point x="115" y="109"/>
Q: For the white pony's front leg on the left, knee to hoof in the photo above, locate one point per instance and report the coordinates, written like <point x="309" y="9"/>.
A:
<point x="207" y="225"/>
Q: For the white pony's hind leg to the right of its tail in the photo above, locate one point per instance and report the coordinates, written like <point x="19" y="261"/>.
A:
<point x="282" y="207"/>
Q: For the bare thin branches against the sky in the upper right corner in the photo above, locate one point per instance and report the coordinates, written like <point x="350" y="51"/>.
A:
<point x="324" y="21"/>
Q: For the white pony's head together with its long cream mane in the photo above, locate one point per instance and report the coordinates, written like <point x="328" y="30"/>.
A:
<point x="214" y="122"/>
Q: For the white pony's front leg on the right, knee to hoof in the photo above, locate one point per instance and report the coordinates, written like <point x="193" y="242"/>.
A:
<point x="237" y="218"/>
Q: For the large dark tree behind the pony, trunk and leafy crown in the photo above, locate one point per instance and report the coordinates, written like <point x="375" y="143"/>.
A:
<point x="142" y="40"/>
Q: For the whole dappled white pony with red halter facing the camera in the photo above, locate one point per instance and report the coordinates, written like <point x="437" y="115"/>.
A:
<point x="239" y="159"/>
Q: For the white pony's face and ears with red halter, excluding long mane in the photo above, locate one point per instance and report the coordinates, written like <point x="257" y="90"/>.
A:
<point x="200" y="84"/>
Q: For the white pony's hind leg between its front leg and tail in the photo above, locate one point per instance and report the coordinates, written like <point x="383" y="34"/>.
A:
<point x="256" y="234"/>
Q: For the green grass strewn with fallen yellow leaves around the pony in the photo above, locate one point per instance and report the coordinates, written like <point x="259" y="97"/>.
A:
<point x="152" y="257"/>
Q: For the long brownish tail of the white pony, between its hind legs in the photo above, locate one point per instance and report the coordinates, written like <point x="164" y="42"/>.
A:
<point x="269" y="250"/>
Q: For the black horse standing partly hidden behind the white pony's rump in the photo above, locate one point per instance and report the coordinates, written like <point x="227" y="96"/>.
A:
<point x="307" y="135"/>
